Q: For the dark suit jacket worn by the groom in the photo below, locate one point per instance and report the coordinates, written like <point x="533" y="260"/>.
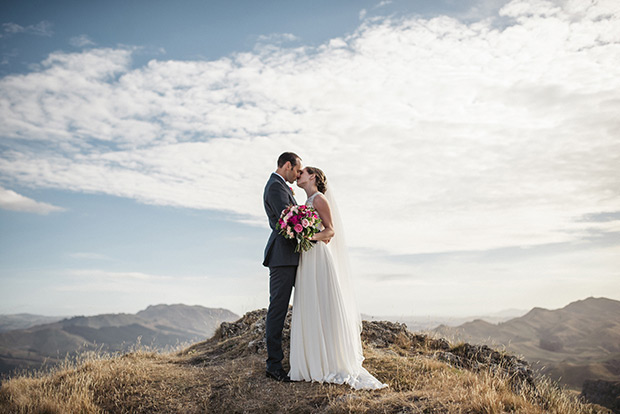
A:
<point x="279" y="251"/>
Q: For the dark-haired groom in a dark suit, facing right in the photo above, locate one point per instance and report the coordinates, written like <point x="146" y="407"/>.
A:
<point x="281" y="259"/>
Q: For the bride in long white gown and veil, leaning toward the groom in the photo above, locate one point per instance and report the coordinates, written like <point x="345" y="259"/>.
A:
<point x="326" y="325"/>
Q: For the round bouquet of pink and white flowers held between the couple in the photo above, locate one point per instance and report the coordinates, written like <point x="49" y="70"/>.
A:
<point x="299" y="223"/>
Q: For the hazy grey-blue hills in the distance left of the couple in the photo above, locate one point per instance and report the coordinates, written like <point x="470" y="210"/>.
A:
<point x="157" y="326"/>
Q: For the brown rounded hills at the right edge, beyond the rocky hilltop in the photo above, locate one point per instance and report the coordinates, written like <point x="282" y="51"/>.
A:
<point x="576" y="343"/>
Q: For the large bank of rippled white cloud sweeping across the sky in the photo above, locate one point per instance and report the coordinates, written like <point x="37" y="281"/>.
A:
<point x="437" y="135"/>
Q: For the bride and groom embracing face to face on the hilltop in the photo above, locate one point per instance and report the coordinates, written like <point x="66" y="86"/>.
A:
<point x="326" y="324"/>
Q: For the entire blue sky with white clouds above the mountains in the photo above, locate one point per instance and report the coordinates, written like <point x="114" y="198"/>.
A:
<point x="473" y="147"/>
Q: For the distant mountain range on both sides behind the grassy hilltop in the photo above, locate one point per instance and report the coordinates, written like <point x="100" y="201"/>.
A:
<point x="571" y="345"/>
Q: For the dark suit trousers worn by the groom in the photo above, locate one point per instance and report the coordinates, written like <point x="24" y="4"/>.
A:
<point x="281" y="282"/>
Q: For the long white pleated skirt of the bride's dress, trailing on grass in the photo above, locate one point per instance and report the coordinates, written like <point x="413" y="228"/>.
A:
<point x="325" y="343"/>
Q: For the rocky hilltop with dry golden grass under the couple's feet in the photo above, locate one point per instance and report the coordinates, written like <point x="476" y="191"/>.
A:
<point x="225" y="374"/>
